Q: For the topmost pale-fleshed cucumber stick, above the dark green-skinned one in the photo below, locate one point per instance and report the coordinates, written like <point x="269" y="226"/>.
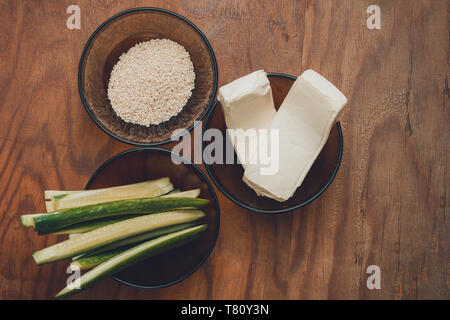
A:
<point x="147" y="189"/>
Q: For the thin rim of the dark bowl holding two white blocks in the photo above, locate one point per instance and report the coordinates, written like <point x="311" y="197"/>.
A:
<point x="294" y="207"/>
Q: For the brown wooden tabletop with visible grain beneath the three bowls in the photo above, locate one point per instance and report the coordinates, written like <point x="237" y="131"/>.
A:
<point x="386" y="207"/>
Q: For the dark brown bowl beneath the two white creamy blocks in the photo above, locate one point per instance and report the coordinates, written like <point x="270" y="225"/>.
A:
<point x="228" y="177"/>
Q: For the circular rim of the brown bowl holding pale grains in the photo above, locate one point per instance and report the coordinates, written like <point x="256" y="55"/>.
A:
<point x="192" y="25"/>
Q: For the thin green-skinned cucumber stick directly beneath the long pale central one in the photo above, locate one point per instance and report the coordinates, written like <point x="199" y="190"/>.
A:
<point x="138" y="238"/>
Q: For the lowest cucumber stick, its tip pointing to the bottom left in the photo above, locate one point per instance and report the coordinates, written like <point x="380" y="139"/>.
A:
<point x="132" y="256"/>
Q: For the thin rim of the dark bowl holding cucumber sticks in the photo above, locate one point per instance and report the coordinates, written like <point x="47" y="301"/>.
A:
<point x="211" y="189"/>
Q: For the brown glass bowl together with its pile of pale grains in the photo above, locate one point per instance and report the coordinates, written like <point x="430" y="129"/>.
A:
<point x="146" y="73"/>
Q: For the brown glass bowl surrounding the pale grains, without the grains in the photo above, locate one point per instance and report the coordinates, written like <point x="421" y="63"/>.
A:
<point x="116" y="36"/>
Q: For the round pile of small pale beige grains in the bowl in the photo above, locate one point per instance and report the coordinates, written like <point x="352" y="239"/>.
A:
<point x="151" y="82"/>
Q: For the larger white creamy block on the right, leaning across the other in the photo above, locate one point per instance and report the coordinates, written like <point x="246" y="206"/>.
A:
<point x="304" y="121"/>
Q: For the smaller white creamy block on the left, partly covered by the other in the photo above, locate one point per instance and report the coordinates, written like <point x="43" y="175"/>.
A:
<point x="247" y="104"/>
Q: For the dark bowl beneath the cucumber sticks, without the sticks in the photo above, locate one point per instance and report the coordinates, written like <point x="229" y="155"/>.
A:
<point x="151" y="163"/>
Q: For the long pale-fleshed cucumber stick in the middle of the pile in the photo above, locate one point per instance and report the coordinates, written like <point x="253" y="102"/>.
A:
<point x="114" y="232"/>
